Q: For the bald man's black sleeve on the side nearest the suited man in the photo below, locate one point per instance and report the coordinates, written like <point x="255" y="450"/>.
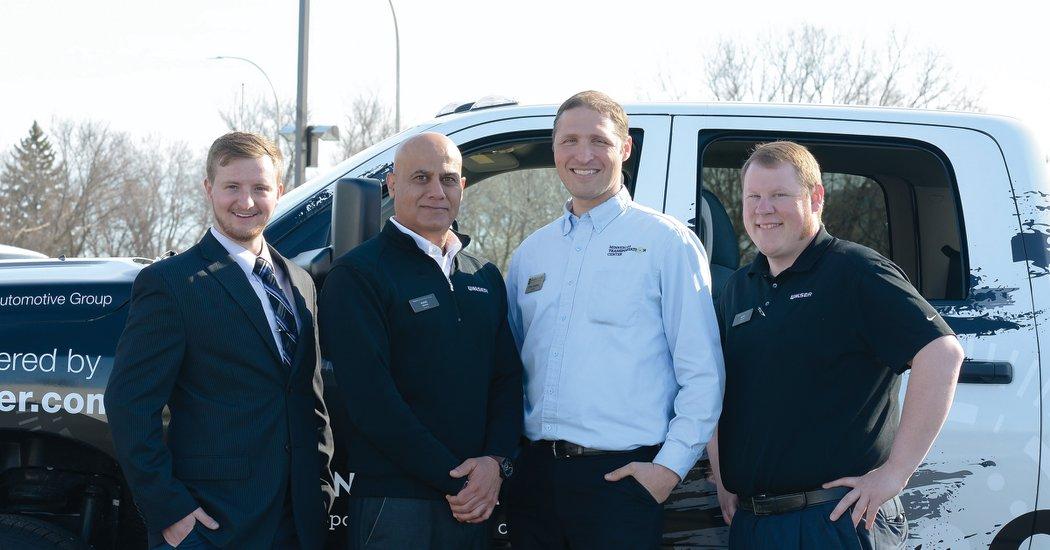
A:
<point x="354" y="336"/>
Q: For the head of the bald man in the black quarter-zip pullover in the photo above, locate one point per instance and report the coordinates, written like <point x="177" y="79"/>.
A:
<point x="427" y="185"/>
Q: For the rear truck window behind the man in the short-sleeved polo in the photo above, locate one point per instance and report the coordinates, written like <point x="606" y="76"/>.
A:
<point x="898" y="198"/>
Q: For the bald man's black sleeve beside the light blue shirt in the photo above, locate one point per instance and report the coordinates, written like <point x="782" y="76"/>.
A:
<point x="507" y="414"/>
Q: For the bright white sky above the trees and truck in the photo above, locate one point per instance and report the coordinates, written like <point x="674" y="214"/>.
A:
<point x="143" y="67"/>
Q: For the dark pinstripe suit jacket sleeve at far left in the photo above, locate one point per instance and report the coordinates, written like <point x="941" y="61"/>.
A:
<point x="146" y="365"/>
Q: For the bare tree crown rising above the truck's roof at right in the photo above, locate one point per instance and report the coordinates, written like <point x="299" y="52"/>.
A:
<point x="809" y="65"/>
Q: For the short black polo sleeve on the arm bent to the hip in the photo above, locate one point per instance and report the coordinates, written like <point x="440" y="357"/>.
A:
<point x="896" y="321"/>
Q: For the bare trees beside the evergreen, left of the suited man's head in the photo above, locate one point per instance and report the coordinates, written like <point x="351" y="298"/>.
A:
<point x="110" y="196"/>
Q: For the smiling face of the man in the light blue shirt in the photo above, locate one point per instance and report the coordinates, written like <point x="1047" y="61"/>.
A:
<point x="590" y="157"/>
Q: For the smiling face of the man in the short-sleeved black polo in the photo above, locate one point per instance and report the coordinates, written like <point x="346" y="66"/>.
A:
<point x="781" y="217"/>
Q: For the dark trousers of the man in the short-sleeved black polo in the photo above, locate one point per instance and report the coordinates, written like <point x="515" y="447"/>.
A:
<point x="811" y="528"/>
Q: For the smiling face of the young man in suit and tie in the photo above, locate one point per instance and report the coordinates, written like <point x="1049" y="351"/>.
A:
<point x="244" y="195"/>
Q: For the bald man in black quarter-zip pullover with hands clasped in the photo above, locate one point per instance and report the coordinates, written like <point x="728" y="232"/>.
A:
<point x="416" y="329"/>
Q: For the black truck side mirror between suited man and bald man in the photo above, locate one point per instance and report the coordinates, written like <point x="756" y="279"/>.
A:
<point x="355" y="219"/>
